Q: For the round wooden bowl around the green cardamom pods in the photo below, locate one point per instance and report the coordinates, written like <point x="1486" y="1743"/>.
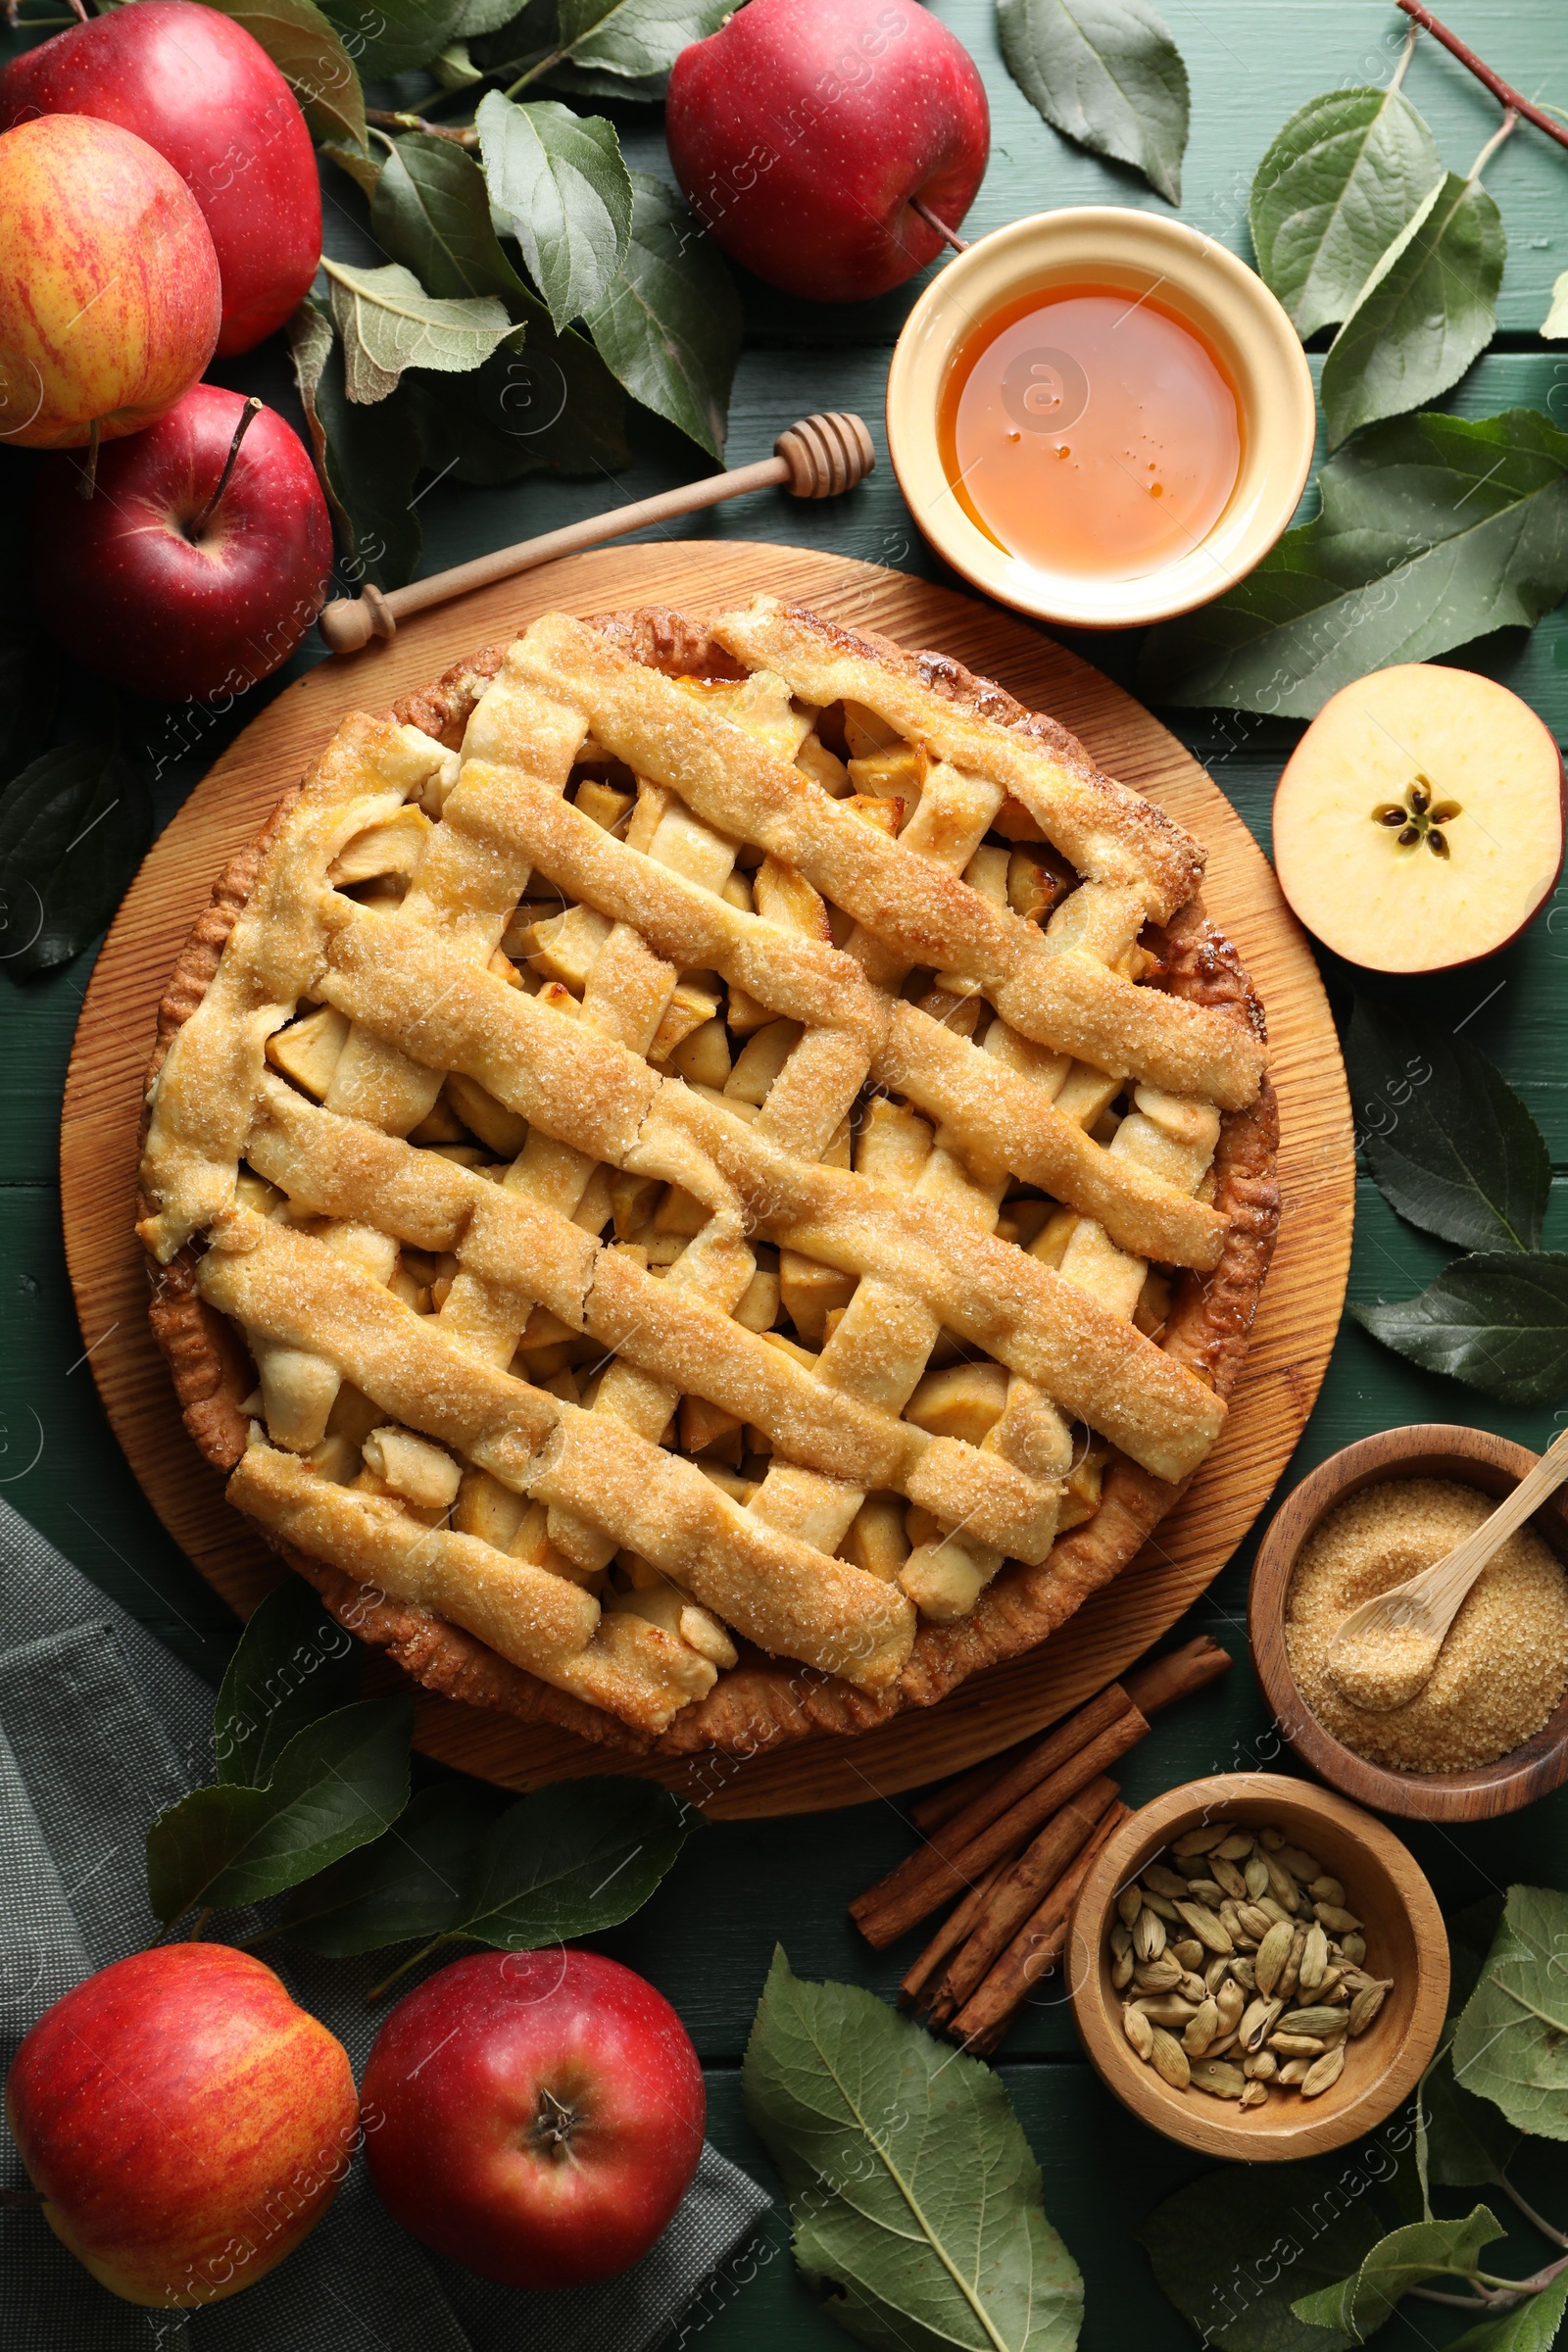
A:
<point x="1405" y="1939"/>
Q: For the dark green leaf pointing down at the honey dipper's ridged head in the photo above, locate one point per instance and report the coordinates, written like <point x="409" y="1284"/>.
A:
<point x="671" y="323"/>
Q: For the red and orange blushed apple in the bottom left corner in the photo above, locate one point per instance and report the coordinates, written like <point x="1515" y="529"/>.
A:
<point x="185" y="2123"/>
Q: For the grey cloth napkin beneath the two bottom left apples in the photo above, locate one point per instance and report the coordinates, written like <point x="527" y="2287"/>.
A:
<point x="100" y="1730"/>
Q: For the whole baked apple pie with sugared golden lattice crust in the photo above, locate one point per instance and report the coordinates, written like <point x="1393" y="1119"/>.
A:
<point x="709" y="1182"/>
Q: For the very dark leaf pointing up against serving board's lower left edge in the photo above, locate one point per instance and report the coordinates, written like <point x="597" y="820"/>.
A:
<point x="293" y="1664"/>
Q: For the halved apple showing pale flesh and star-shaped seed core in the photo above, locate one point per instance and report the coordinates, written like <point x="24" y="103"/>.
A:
<point x="1421" y="820"/>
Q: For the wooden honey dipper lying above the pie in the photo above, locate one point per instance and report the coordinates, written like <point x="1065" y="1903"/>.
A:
<point x="815" y="460"/>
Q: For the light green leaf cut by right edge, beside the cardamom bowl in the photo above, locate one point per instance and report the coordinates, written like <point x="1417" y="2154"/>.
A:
<point x="1510" y="2045"/>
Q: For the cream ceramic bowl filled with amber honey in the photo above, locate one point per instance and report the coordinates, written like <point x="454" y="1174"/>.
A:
<point x="1101" y="417"/>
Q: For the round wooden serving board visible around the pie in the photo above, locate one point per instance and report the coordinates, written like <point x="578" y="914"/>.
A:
<point x="1301" y="1304"/>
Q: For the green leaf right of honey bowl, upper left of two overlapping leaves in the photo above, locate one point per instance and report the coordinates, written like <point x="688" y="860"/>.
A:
<point x="1332" y="196"/>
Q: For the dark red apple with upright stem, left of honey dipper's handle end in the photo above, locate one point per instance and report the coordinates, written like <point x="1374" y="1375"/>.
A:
<point x="154" y="596"/>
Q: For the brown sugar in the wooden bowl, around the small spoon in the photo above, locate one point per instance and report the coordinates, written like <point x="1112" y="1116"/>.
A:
<point x="1499" y="1676"/>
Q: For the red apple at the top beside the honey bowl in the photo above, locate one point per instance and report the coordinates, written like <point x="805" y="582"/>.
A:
<point x="803" y="131"/>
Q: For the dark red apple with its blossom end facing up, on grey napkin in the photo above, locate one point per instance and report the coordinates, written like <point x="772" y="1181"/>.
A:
<point x="535" y="2116"/>
